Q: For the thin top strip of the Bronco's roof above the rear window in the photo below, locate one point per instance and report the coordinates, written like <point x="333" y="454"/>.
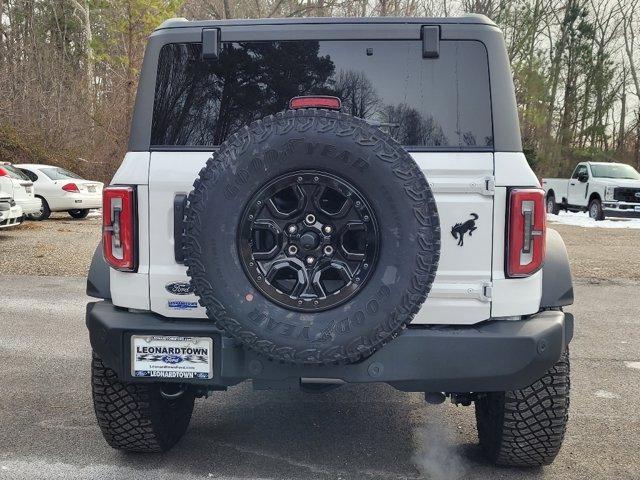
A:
<point x="471" y="19"/>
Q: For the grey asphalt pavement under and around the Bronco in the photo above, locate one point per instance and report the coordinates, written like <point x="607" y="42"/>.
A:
<point x="366" y="432"/>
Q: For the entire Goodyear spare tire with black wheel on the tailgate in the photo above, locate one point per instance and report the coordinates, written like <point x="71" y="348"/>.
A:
<point x="311" y="237"/>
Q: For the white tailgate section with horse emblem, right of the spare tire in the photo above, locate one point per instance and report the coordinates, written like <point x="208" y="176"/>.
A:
<point x="462" y="184"/>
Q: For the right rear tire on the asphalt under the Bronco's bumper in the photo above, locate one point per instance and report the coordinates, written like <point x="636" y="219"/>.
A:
<point x="525" y="428"/>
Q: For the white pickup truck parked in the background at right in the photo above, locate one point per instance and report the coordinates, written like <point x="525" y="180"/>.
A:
<point x="602" y="189"/>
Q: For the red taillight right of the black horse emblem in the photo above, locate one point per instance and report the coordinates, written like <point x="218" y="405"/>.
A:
<point x="526" y="232"/>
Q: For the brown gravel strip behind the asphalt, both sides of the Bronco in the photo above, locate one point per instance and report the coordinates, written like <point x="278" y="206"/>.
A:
<point x="63" y="246"/>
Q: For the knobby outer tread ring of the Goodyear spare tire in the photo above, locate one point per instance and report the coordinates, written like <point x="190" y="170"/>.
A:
<point x="385" y="149"/>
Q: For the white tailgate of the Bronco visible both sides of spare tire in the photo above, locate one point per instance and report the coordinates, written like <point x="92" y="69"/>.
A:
<point x="462" y="184"/>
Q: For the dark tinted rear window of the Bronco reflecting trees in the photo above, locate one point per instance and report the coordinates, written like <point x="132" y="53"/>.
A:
<point x="443" y="102"/>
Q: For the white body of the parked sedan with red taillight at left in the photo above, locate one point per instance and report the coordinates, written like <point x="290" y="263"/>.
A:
<point x="59" y="200"/>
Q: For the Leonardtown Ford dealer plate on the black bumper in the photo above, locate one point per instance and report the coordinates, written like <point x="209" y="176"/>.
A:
<point x="171" y="357"/>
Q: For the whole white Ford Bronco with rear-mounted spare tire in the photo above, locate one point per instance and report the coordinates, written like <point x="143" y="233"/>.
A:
<point x="312" y="202"/>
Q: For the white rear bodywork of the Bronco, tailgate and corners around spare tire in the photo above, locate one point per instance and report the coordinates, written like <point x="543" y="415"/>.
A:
<point x="470" y="285"/>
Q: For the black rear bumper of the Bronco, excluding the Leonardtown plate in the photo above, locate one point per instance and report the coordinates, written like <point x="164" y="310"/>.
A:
<point x="492" y="356"/>
